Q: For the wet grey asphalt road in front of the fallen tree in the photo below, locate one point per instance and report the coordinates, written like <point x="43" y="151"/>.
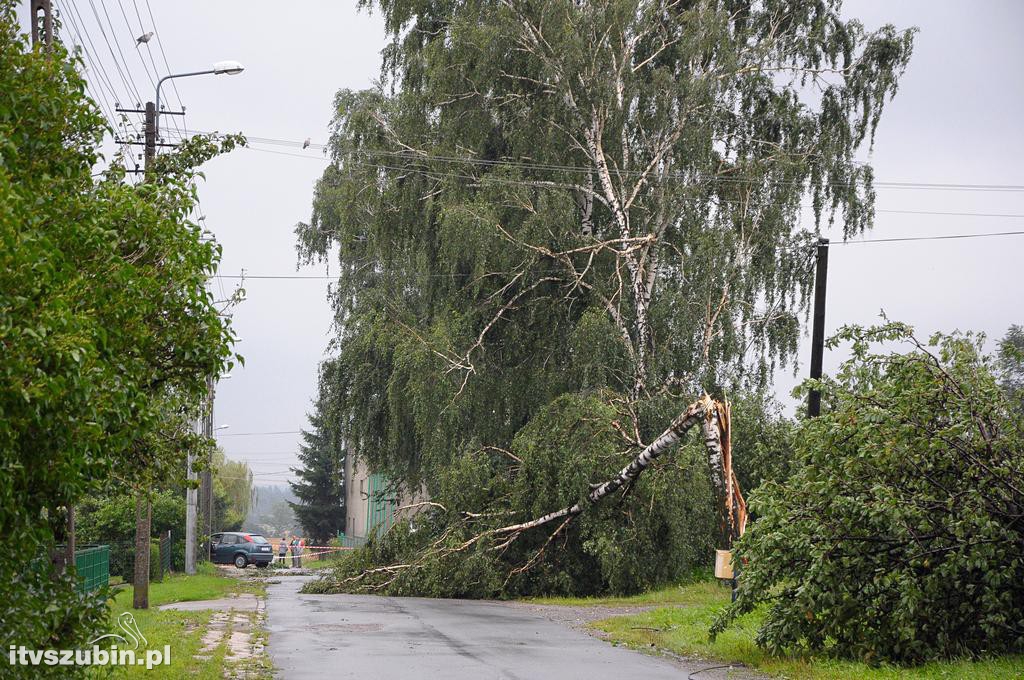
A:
<point x="385" y="639"/>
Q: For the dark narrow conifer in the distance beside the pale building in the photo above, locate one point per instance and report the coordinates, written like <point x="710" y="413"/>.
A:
<point x="321" y="491"/>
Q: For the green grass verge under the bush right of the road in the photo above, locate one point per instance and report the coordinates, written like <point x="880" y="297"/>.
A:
<point x="682" y="629"/>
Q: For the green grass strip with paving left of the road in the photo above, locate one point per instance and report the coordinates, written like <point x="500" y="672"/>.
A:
<point x="182" y="630"/>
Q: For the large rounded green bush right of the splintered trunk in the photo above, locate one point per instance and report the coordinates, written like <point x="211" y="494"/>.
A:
<point x="900" y="537"/>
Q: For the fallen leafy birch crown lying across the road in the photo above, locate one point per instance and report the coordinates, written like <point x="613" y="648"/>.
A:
<point x="661" y="531"/>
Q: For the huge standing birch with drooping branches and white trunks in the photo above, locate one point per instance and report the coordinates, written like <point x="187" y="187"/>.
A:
<point x="560" y="198"/>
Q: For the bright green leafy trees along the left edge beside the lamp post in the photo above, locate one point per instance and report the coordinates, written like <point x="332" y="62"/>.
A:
<point x="107" y="331"/>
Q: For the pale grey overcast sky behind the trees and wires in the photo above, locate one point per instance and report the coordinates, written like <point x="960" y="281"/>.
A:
<point x="957" y="119"/>
